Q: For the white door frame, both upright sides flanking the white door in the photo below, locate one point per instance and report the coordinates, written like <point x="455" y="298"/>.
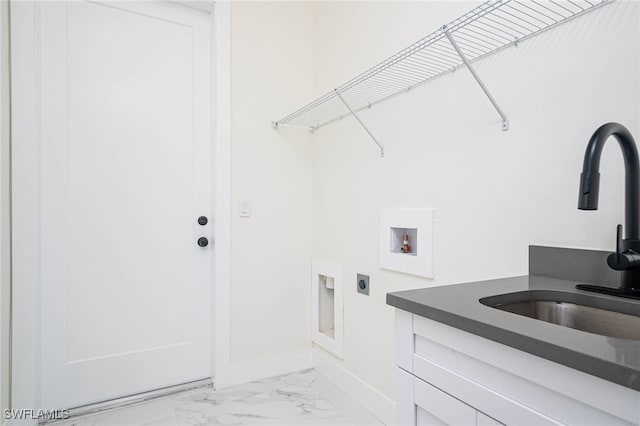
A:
<point x="25" y="141"/>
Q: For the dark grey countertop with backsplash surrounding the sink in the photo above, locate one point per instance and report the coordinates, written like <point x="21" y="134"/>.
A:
<point x="612" y="359"/>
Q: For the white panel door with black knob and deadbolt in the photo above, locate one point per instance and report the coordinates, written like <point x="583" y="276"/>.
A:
<point x="125" y="160"/>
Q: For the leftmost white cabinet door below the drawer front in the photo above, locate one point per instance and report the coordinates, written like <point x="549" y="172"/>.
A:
<point x="435" y="407"/>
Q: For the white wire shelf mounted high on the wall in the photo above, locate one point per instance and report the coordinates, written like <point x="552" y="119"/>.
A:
<point x="490" y="27"/>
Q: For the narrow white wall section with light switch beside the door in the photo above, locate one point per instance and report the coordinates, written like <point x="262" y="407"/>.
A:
<point x="271" y="65"/>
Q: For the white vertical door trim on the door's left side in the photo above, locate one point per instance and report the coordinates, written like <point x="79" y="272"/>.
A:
<point x="25" y="214"/>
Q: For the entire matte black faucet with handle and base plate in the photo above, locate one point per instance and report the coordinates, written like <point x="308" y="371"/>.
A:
<point x="627" y="255"/>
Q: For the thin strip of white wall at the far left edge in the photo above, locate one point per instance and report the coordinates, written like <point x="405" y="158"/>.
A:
<point x="5" y="261"/>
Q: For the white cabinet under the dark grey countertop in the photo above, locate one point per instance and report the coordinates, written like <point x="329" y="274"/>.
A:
<point x="450" y="377"/>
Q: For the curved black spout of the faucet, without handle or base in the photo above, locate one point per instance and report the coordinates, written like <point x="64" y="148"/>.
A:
<point x="590" y="177"/>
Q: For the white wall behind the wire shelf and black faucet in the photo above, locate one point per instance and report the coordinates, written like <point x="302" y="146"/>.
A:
<point x="494" y="192"/>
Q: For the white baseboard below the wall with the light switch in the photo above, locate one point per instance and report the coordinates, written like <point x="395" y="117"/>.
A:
<point x="238" y="374"/>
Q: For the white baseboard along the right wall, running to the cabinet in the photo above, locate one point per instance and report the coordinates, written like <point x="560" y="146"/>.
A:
<point x="383" y="408"/>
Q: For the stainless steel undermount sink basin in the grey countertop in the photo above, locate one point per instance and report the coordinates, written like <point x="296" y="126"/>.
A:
<point x="612" y="318"/>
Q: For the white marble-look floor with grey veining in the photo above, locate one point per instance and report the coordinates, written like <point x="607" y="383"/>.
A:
<point x="301" y="398"/>
